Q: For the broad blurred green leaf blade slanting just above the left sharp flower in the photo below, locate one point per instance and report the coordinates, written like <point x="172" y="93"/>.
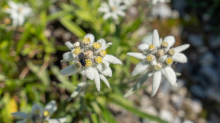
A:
<point x="73" y="27"/>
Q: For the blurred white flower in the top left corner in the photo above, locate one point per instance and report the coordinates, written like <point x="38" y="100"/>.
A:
<point x="18" y="12"/>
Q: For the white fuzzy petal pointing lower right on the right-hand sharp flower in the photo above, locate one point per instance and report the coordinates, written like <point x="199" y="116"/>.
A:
<point x="169" y="74"/>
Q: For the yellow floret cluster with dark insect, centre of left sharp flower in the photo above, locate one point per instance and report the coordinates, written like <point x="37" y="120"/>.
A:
<point x="88" y="55"/>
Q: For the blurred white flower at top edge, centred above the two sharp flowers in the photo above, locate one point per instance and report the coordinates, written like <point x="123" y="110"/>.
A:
<point x="113" y="9"/>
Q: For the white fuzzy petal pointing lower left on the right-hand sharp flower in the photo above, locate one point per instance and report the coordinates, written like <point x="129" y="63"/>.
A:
<point x="140" y="68"/>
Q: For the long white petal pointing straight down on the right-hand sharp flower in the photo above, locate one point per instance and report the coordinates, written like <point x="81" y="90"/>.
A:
<point x="156" y="82"/>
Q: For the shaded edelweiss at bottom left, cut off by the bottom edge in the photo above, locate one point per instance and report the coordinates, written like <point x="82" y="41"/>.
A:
<point x="40" y="115"/>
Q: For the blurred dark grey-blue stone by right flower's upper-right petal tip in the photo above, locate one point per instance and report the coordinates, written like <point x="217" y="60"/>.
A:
<point x="195" y="40"/>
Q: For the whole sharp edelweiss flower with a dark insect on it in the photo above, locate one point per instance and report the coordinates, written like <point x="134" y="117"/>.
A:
<point x="91" y="59"/>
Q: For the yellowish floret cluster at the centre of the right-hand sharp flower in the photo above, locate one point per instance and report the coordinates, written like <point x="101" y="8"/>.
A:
<point x="161" y="56"/>
